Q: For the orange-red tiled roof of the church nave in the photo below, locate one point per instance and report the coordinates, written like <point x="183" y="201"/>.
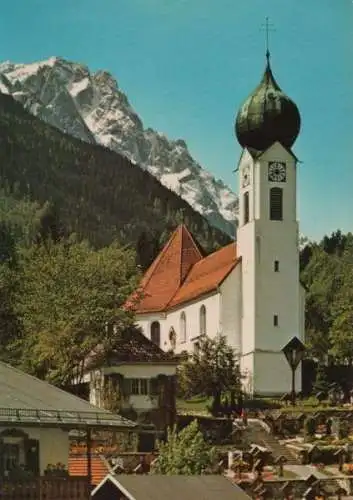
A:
<point x="180" y="273"/>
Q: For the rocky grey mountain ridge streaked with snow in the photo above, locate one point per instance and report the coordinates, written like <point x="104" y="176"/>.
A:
<point x="90" y="106"/>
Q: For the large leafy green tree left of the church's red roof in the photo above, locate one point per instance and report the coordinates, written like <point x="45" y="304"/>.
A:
<point x="68" y="294"/>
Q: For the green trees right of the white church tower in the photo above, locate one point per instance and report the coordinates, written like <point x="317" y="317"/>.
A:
<point x="327" y="271"/>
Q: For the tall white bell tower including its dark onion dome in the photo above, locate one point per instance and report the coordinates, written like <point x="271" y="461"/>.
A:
<point x="267" y="126"/>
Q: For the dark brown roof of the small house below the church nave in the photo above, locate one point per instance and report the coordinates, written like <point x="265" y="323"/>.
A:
<point x="131" y="347"/>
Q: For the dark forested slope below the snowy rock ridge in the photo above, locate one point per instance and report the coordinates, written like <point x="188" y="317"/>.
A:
<point x="92" y="191"/>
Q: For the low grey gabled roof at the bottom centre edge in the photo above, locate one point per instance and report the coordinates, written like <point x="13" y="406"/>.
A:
<point x="158" y="487"/>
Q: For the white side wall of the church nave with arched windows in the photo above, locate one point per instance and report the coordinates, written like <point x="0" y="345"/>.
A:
<point x="192" y="314"/>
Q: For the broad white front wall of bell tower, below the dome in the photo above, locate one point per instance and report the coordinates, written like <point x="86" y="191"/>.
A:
<point x="277" y="293"/>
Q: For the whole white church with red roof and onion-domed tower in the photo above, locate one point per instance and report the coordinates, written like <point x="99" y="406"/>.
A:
<point x="250" y="290"/>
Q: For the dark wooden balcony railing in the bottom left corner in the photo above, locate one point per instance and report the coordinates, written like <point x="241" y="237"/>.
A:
<point x="43" y="488"/>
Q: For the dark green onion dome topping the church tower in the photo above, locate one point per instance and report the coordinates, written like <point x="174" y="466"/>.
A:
<point x="267" y="116"/>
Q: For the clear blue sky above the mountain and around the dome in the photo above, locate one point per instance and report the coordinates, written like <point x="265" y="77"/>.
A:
<point x="187" y="65"/>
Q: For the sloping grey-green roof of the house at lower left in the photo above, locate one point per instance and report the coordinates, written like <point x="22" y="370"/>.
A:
<point x="27" y="400"/>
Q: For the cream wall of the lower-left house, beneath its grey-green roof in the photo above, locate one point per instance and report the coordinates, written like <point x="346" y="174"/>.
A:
<point x="53" y="444"/>
